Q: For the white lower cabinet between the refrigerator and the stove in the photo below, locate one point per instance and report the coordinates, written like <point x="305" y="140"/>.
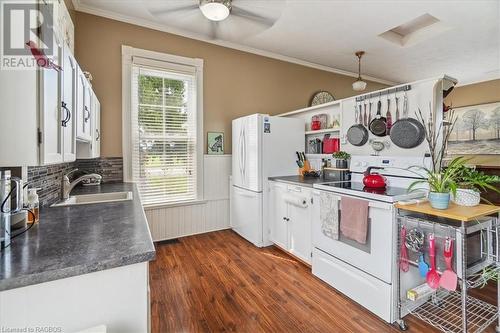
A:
<point x="291" y="223"/>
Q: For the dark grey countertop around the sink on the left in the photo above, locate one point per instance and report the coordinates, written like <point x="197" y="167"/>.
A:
<point x="76" y="240"/>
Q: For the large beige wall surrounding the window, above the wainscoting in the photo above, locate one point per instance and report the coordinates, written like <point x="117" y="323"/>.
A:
<point x="235" y="83"/>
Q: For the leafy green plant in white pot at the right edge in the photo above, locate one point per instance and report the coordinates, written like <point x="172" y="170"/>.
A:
<point x="470" y="185"/>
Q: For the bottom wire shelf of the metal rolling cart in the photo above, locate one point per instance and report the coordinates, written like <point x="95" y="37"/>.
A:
<point x="444" y="311"/>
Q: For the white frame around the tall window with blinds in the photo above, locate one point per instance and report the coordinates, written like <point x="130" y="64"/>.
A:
<point x="128" y="53"/>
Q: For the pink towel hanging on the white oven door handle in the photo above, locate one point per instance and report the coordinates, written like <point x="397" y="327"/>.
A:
<point x="354" y="219"/>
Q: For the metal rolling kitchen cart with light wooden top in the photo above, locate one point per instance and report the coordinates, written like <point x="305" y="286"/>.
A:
<point x="475" y="235"/>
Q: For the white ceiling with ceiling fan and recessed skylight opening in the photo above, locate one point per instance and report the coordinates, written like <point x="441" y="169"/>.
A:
<point x="328" y="32"/>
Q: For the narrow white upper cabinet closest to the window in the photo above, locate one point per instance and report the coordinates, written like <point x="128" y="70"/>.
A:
<point x="92" y="148"/>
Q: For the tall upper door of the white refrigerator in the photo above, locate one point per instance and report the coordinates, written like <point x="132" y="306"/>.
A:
<point x="247" y="152"/>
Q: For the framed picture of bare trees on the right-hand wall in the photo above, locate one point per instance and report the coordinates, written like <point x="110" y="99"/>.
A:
<point x="477" y="130"/>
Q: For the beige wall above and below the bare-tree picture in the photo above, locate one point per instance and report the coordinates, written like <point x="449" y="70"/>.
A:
<point x="473" y="94"/>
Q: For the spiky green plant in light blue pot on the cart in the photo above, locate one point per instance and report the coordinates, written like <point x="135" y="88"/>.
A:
<point x="441" y="183"/>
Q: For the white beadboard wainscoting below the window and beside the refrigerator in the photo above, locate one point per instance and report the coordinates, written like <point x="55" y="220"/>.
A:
<point x="210" y="215"/>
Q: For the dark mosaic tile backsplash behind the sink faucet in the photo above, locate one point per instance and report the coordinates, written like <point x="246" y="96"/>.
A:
<point x="48" y="178"/>
